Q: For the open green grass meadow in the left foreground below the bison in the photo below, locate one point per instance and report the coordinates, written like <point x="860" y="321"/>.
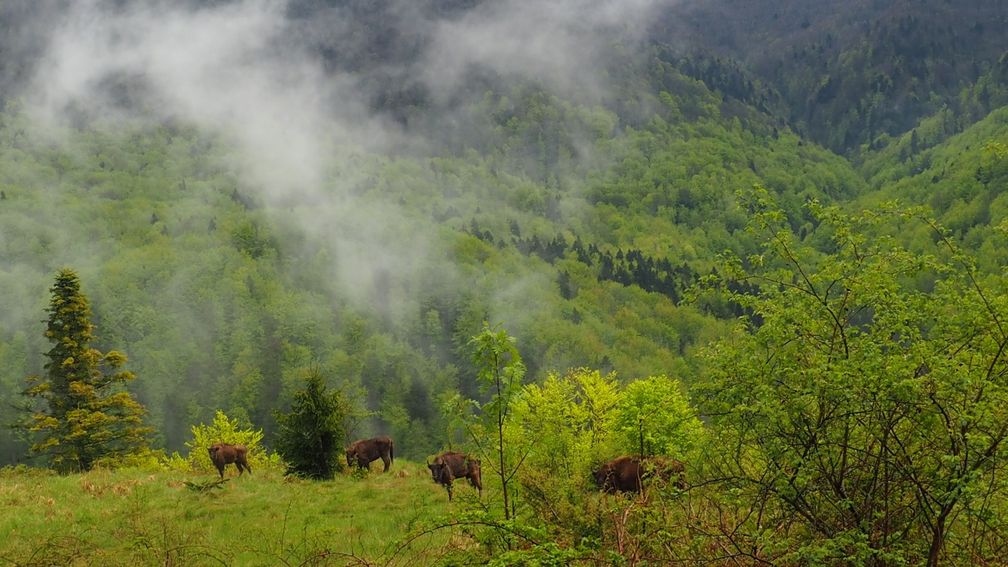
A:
<point x="136" y="518"/>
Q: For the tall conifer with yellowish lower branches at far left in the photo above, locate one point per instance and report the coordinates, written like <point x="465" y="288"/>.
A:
<point x="86" y="412"/>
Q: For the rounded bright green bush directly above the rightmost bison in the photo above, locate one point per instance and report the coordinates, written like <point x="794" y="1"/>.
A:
<point x="656" y="418"/>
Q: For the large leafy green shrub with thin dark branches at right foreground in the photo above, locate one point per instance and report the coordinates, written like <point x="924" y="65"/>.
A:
<point x="861" y="414"/>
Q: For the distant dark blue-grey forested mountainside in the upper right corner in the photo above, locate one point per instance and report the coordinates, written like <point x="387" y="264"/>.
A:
<point x="853" y="74"/>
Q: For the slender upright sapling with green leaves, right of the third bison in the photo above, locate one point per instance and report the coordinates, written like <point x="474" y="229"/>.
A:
<point x="499" y="368"/>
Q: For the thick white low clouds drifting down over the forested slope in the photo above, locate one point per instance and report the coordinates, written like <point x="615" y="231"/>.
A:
<point x="261" y="74"/>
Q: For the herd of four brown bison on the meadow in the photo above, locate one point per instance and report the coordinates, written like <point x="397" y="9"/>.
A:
<point x="622" y="475"/>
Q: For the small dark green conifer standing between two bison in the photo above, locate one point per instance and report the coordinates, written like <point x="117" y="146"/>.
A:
<point x="312" y="436"/>
